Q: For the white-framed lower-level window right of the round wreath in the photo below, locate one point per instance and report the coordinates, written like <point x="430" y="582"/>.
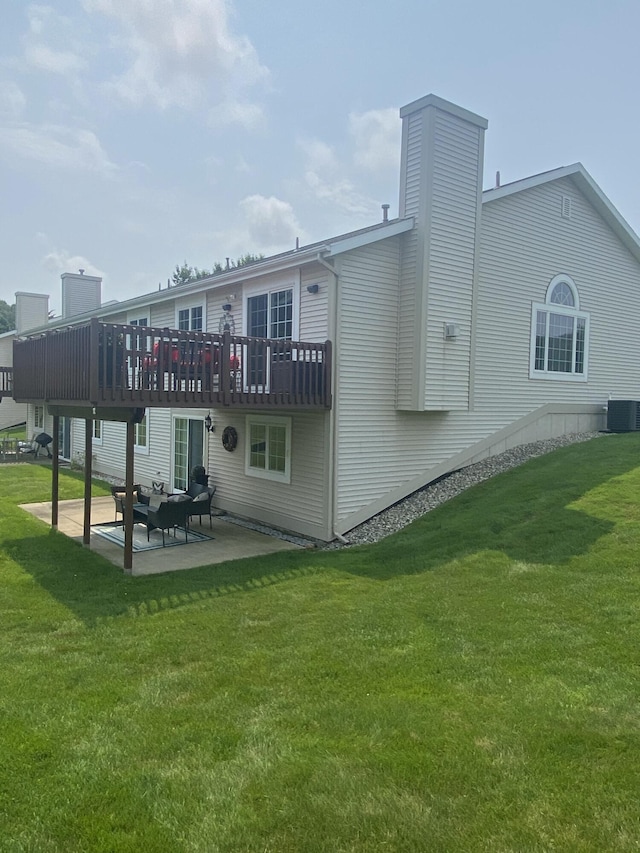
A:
<point x="268" y="449"/>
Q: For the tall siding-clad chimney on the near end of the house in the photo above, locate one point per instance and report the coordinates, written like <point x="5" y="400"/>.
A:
<point x="441" y="187"/>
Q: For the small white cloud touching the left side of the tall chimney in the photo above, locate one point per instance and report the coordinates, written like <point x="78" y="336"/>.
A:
<point x="376" y="135"/>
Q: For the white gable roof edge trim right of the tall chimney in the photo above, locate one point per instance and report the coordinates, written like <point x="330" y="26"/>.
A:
<point x="588" y="187"/>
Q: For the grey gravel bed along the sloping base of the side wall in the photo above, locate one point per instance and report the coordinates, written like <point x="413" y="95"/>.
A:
<point x="419" y="503"/>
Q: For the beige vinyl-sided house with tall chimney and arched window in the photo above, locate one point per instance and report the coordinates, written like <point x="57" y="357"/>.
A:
<point x="471" y="323"/>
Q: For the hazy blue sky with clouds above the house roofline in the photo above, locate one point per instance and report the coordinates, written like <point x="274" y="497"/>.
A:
<point x="138" y="134"/>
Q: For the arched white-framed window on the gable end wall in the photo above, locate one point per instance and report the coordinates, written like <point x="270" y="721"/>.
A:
<point x="560" y="334"/>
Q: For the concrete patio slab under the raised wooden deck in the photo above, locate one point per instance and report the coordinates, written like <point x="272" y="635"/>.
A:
<point x="230" y="542"/>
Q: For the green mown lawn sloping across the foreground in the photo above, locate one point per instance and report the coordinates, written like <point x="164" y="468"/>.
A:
<point x="469" y="684"/>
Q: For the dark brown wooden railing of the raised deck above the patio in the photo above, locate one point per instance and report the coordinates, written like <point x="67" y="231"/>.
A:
<point x="105" y="364"/>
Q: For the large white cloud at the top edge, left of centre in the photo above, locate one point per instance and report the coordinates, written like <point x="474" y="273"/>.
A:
<point x="182" y="53"/>
